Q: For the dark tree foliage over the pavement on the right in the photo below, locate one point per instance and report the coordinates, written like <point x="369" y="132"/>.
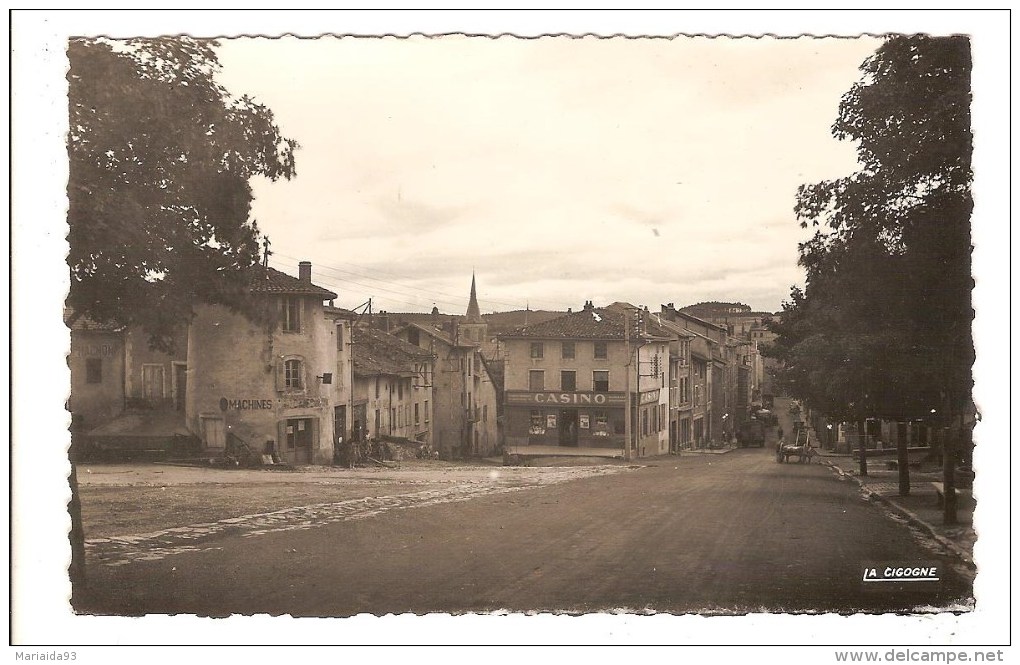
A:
<point x="884" y="326"/>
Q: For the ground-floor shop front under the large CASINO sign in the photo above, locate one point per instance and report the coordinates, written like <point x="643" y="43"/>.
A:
<point x="568" y="420"/>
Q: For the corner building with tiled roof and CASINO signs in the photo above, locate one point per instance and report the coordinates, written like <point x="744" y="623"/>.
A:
<point x="569" y="382"/>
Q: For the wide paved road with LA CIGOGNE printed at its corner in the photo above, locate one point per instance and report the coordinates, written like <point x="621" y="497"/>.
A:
<point x="726" y="534"/>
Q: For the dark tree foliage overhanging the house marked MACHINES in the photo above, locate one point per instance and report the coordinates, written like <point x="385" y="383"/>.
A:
<point x="161" y="159"/>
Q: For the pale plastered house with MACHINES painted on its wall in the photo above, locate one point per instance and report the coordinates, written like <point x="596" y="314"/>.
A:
<point x="268" y="385"/>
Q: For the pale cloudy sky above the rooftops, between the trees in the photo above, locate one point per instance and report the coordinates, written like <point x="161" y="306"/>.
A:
<point x="557" y="171"/>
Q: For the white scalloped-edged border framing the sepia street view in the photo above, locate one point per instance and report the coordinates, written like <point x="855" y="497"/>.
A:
<point x="40" y="282"/>
